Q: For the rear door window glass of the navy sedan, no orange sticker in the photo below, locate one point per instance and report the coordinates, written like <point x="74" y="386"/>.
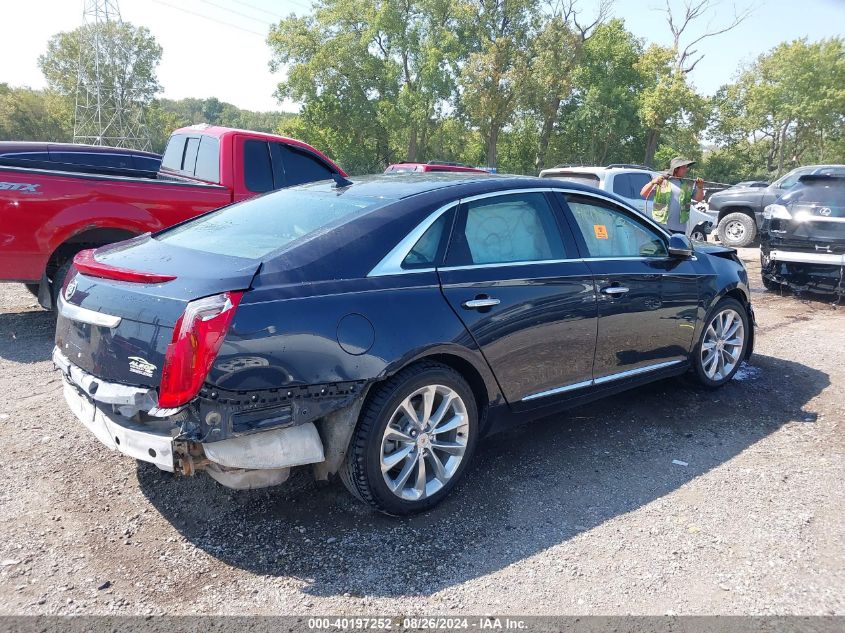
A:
<point x="518" y="227"/>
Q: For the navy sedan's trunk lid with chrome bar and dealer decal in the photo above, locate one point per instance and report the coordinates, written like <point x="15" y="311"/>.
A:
<point x="119" y="330"/>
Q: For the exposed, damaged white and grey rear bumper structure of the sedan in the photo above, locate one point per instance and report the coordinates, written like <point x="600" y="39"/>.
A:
<point x="121" y="417"/>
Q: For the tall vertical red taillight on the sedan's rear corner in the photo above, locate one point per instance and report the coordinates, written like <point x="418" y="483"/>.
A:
<point x="197" y="337"/>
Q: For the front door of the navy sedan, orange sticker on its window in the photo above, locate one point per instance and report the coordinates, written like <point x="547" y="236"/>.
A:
<point x="647" y="300"/>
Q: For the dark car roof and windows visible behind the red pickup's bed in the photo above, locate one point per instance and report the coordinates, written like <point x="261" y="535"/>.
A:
<point x="88" y="159"/>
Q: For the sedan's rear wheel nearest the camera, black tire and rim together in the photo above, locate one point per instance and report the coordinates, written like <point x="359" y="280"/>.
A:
<point x="416" y="434"/>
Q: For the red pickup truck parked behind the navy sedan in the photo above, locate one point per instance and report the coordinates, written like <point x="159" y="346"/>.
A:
<point x="47" y="216"/>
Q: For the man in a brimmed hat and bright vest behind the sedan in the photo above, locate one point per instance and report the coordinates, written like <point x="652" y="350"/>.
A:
<point x="672" y="196"/>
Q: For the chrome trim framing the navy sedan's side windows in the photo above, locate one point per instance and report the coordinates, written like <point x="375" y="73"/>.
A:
<point x="391" y="264"/>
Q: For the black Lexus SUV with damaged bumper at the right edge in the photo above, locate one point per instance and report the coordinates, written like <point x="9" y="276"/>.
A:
<point x="802" y="242"/>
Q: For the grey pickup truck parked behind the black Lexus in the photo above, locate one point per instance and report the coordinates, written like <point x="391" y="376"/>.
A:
<point x="738" y="211"/>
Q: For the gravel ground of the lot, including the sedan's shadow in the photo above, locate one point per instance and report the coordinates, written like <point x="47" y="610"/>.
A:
<point x="578" y="514"/>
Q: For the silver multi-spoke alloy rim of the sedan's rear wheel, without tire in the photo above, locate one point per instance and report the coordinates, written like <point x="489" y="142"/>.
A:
<point x="424" y="442"/>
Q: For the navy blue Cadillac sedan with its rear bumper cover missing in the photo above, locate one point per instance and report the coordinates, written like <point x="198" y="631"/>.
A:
<point x="378" y="329"/>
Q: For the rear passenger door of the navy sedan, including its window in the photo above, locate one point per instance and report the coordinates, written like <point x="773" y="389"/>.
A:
<point x="514" y="278"/>
